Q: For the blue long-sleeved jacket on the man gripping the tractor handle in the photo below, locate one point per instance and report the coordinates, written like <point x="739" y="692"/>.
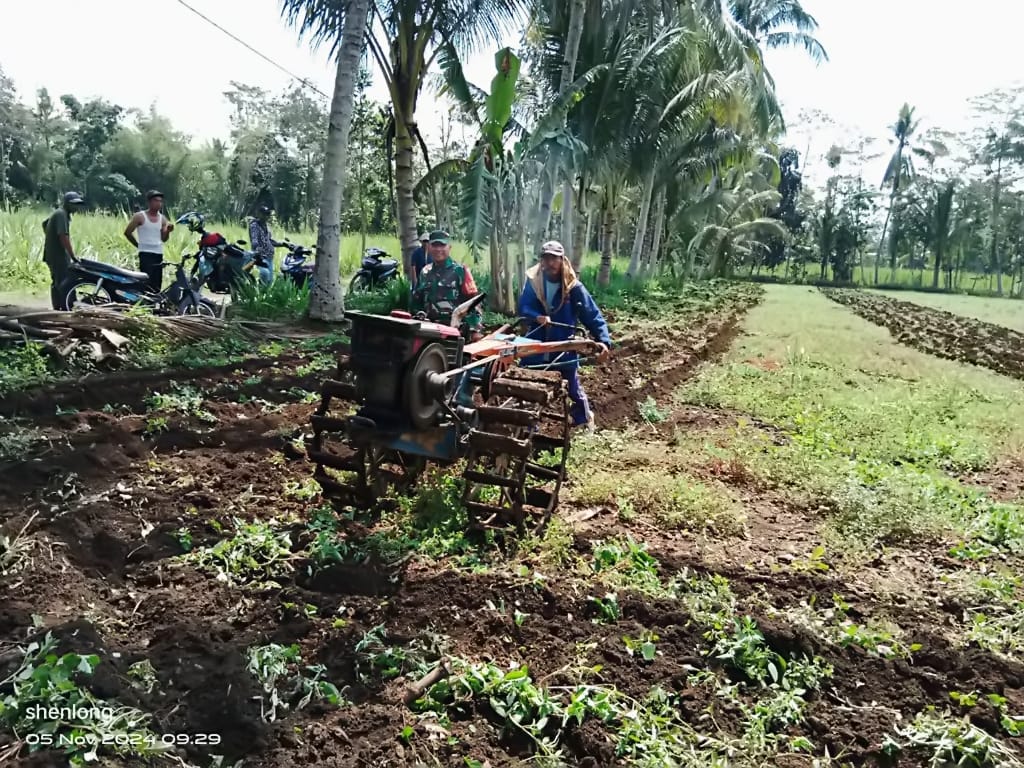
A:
<point x="572" y="304"/>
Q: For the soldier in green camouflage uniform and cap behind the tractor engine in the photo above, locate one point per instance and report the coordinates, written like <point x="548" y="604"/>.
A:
<point x="444" y="284"/>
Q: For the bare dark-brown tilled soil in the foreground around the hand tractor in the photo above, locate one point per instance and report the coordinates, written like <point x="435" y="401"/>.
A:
<point x="106" y="500"/>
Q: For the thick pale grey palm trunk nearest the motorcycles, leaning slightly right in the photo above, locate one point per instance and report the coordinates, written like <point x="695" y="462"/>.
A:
<point x="327" y="301"/>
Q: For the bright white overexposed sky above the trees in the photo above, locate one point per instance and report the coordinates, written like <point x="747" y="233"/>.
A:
<point x="882" y="54"/>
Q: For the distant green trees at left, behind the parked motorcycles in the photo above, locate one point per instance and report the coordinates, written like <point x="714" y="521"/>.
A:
<point x="273" y="153"/>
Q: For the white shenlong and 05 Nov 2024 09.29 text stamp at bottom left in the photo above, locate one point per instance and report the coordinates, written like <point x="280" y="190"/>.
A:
<point x="80" y="739"/>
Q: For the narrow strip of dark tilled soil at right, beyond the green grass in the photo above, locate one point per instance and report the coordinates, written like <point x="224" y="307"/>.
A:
<point x="940" y="333"/>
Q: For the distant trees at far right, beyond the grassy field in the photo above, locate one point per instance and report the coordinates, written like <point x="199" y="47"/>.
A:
<point x="948" y="212"/>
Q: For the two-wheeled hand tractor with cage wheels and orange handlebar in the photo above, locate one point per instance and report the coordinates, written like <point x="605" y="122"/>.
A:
<point x="422" y="394"/>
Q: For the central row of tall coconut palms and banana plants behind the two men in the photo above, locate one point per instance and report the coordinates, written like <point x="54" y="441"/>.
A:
<point x="624" y="126"/>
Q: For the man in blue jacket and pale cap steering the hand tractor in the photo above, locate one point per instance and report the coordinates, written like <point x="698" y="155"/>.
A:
<point x="553" y="294"/>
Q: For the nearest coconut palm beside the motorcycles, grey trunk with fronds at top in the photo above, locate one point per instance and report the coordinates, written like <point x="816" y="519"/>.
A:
<point x="345" y="27"/>
